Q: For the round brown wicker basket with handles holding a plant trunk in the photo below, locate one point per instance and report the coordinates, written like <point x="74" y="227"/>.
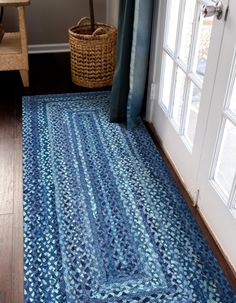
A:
<point x="92" y="55"/>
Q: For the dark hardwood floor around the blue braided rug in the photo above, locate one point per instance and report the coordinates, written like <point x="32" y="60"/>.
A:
<point x="49" y="73"/>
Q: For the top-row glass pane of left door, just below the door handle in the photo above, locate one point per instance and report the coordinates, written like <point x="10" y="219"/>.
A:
<point x="203" y="43"/>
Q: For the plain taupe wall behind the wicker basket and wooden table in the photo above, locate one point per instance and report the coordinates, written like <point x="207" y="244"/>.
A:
<point x="48" y="20"/>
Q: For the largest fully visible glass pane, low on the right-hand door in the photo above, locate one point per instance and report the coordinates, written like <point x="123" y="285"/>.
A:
<point x="226" y="162"/>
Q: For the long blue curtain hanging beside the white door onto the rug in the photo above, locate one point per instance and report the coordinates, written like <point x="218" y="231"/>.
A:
<point x="133" y="44"/>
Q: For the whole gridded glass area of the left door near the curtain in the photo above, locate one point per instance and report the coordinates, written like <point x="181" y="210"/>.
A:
<point x="188" y="52"/>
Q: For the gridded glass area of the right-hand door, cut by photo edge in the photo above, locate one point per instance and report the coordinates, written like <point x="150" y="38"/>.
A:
<point x="223" y="169"/>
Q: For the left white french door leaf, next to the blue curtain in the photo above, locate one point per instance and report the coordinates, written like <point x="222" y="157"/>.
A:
<point x="188" y="66"/>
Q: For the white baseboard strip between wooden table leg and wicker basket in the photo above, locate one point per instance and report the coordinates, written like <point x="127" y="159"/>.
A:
<point x="49" y="48"/>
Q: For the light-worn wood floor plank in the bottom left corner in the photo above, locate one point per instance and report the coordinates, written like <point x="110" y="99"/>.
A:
<point x="5" y="258"/>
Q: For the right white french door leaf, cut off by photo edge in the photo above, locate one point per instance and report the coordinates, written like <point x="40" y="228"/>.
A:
<point x="217" y="173"/>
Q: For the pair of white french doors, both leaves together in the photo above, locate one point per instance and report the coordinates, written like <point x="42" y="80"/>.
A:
<point x="192" y="105"/>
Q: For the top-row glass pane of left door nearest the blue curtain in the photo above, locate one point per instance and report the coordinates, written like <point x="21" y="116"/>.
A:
<point x="171" y="23"/>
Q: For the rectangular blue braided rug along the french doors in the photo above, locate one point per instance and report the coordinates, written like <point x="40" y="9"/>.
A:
<point x="103" y="219"/>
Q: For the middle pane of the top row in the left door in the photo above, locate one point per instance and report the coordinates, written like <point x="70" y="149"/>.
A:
<point x="187" y="30"/>
